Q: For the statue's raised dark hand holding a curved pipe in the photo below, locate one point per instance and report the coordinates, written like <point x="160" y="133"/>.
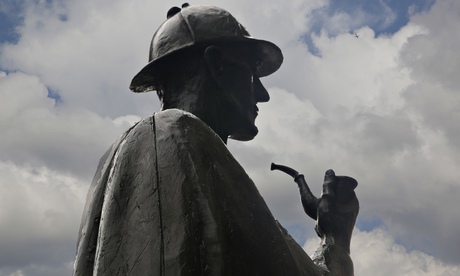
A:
<point x="335" y="213"/>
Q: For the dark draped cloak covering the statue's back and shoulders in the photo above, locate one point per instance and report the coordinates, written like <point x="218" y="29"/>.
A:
<point x="168" y="198"/>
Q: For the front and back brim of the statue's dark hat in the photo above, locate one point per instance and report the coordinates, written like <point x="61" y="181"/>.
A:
<point x="269" y="55"/>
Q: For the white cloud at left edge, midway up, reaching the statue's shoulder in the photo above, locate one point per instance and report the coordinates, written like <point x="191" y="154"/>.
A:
<point x="36" y="131"/>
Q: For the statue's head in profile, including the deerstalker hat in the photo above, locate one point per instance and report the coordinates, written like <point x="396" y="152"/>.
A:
<point x="203" y="61"/>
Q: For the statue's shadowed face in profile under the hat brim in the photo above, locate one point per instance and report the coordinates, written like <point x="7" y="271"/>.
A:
<point x="242" y="91"/>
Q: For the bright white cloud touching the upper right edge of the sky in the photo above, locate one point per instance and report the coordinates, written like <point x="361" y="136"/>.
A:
<point x="435" y="63"/>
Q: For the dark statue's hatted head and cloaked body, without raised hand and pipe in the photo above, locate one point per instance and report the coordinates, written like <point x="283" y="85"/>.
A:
<point x="168" y="198"/>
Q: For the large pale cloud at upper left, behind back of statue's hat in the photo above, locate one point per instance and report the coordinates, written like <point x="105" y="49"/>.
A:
<point x="91" y="55"/>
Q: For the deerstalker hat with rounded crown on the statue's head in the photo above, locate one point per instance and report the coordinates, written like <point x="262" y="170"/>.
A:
<point x="201" y="25"/>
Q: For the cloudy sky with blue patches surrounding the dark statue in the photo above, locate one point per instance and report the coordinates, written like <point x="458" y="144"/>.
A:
<point x="383" y="108"/>
